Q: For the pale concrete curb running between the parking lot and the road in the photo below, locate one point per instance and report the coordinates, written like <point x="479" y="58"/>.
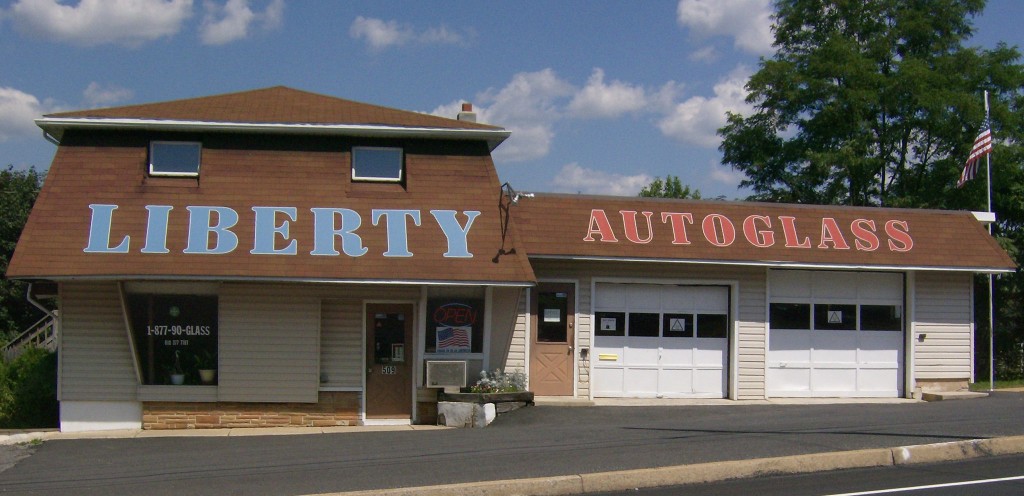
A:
<point x="707" y="473"/>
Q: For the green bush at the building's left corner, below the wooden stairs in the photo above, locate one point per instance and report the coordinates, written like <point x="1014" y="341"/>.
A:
<point x="29" y="391"/>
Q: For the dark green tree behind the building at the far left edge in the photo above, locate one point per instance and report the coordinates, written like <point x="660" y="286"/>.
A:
<point x="18" y="193"/>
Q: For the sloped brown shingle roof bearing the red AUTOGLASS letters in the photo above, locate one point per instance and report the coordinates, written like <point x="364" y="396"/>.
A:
<point x="572" y="227"/>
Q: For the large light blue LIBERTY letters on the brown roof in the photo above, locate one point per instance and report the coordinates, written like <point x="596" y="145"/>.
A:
<point x="210" y="231"/>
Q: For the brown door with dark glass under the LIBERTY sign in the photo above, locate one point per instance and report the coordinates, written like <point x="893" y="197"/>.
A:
<point x="390" y="361"/>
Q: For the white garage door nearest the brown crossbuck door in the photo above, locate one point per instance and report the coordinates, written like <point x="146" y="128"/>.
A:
<point x="661" y="341"/>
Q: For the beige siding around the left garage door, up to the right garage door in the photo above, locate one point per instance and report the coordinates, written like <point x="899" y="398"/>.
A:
<point x="751" y="336"/>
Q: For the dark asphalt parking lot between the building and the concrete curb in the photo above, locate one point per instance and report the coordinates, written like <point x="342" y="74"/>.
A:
<point x="530" y="443"/>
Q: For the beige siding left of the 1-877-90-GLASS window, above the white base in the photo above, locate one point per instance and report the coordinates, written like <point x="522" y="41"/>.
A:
<point x="96" y="358"/>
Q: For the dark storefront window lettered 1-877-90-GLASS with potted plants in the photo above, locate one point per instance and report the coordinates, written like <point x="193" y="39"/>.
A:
<point x="176" y="338"/>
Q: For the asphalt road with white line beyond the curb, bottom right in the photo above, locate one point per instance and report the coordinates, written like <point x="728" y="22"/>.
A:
<point x="980" y="477"/>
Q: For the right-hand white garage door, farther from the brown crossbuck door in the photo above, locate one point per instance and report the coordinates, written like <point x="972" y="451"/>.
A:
<point x="836" y="335"/>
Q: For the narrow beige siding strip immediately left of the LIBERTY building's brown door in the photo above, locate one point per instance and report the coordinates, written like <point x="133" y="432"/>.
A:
<point x="342" y="344"/>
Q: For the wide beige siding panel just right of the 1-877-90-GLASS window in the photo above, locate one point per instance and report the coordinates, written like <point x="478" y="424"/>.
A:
<point x="270" y="344"/>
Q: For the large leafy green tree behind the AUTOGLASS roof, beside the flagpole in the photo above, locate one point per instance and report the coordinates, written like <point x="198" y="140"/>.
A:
<point x="877" y="103"/>
